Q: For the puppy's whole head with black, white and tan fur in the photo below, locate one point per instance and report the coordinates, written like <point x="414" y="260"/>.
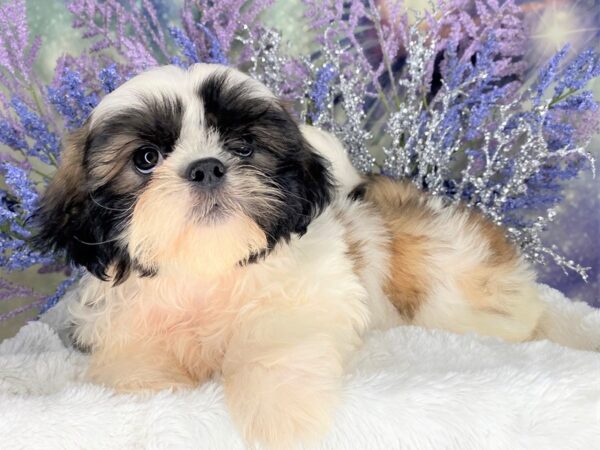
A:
<point x="178" y="171"/>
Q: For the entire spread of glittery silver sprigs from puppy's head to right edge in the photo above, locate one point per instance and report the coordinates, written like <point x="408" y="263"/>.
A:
<point x="412" y="146"/>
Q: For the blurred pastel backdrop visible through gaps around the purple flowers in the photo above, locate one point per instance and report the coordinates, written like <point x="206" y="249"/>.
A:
<point x="554" y="23"/>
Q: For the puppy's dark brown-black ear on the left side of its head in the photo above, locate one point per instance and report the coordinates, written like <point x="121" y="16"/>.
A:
<point x="68" y="220"/>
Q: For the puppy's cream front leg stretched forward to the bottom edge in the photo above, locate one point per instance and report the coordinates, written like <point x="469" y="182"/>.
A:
<point x="282" y="374"/>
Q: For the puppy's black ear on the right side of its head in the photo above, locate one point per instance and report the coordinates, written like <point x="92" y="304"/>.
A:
<point x="315" y="185"/>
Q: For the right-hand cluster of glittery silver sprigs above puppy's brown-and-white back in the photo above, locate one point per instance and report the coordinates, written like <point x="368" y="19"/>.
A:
<point x="523" y="147"/>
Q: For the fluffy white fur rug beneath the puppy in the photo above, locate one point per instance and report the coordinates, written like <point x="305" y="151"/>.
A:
<point x="409" y="388"/>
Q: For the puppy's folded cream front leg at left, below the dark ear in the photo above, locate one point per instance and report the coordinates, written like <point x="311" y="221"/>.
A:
<point x="130" y="347"/>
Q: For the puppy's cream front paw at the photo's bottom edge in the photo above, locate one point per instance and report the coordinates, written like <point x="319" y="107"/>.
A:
<point x="281" y="407"/>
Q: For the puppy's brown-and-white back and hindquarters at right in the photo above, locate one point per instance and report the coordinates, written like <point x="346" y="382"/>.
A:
<point x="450" y="267"/>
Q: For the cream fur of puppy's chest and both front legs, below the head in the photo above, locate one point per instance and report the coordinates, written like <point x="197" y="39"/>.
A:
<point x="278" y="331"/>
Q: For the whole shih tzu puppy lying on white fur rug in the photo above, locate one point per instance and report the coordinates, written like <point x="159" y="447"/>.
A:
<point x="223" y="239"/>
